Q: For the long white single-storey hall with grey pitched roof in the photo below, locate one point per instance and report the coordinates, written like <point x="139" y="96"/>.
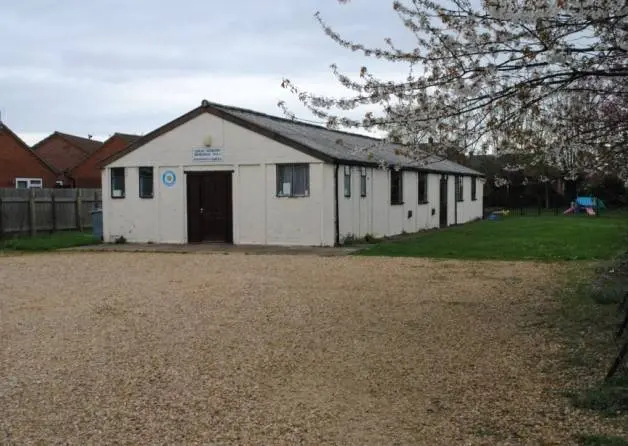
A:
<point x="230" y="175"/>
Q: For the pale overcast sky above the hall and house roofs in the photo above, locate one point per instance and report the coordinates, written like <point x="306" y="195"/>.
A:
<point x="87" y="67"/>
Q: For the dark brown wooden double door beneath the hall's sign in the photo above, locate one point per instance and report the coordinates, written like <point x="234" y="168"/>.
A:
<point x="210" y="216"/>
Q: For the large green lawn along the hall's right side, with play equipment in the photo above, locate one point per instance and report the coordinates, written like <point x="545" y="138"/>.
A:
<point x="545" y="238"/>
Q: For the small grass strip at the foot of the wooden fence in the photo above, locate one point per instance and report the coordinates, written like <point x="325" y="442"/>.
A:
<point x="48" y="242"/>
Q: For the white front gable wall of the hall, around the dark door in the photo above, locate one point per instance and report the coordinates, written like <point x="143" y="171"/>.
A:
<point x="259" y="216"/>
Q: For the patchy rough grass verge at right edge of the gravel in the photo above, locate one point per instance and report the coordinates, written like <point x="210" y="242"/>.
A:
<point x="587" y="322"/>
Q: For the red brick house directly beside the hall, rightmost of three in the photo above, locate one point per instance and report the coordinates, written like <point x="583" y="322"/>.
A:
<point x="87" y="172"/>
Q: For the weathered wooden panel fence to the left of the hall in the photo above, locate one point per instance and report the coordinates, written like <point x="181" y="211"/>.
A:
<point x="29" y="211"/>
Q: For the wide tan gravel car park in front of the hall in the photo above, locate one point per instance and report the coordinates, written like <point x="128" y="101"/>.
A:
<point x="121" y="348"/>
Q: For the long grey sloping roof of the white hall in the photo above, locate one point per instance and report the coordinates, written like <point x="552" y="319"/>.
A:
<point x="343" y="146"/>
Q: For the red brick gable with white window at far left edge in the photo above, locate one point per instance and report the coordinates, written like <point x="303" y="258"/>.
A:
<point x="20" y="167"/>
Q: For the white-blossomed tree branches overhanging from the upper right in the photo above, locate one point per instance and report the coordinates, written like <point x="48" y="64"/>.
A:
<point x="541" y="77"/>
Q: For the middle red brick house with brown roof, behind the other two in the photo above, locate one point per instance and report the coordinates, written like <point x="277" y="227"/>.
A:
<point x="63" y="152"/>
